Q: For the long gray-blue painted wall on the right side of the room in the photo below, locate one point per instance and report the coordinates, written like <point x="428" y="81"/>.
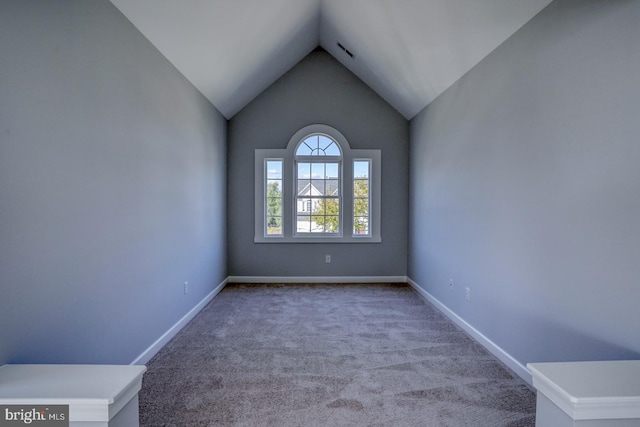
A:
<point x="525" y="187"/>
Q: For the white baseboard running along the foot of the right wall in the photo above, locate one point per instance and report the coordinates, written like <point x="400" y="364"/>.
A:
<point x="493" y="348"/>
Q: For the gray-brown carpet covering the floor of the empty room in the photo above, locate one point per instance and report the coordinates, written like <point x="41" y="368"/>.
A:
<point x="328" y="355"/>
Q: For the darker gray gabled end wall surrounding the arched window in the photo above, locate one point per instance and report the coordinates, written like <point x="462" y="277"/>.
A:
<point x="318" y="90"/>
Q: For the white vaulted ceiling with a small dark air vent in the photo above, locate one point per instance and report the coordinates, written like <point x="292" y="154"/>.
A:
<point x="408" y="51"/>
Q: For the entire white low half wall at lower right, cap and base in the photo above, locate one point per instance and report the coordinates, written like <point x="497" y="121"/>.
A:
<point x="593" y="394"/>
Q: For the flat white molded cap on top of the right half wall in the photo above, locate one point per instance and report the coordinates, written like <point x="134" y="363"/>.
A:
<point x="591" y="390"/>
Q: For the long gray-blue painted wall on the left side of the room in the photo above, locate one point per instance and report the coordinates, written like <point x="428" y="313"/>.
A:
<point x="112" y="186"/>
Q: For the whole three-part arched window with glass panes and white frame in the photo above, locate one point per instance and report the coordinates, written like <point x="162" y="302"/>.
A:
<point x="318" y="189"/>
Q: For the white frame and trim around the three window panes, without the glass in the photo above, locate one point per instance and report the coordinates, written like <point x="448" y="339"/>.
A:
<point x="290" y="185"/>
